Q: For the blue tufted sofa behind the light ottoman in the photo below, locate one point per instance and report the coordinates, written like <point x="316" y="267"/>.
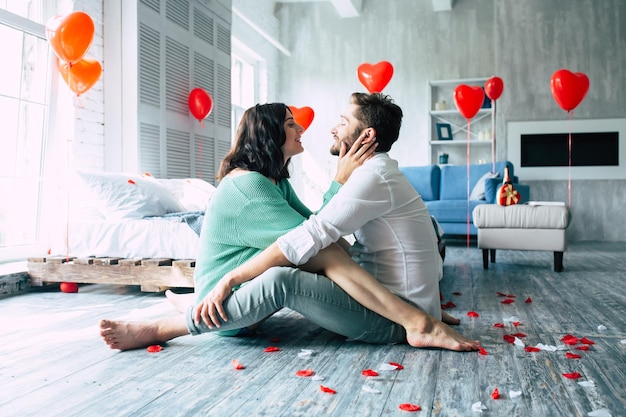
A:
<point x="445" y="192"/>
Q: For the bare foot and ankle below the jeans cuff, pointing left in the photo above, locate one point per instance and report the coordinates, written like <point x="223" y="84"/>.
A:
<point x="126" y="335"/>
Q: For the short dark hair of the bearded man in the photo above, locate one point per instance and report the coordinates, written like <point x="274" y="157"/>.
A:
<point x="380" y="112"/>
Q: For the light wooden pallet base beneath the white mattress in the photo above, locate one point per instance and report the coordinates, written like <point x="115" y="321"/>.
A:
<point x="152" y="275"/>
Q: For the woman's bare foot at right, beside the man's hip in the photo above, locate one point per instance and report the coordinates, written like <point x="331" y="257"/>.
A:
<point x="434" y="333"/>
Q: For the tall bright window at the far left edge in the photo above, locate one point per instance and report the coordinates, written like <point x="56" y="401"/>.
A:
<point x="24" y="96"/>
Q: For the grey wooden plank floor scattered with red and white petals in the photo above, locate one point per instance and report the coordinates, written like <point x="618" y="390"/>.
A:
<point x="53" y="363"/>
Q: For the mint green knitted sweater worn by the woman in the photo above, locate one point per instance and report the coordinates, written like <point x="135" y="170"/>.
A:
<point x="247" y="213"/>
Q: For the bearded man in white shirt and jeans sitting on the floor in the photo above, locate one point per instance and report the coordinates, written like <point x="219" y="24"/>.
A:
<point x="386" y="214"/>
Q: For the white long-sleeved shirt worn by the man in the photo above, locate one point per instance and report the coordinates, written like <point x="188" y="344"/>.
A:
<point x="396" y="240"/>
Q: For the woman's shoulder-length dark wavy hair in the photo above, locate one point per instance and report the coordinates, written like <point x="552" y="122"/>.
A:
<point x="260" y="136"/>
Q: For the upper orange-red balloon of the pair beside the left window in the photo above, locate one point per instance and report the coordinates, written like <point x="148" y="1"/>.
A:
<point x="70" y="36"/>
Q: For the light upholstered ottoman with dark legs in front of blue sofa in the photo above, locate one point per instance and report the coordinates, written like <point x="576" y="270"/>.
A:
<point x="522" y="227"/>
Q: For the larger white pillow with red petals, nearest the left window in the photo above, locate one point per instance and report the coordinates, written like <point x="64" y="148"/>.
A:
<point x="129" y="196"/>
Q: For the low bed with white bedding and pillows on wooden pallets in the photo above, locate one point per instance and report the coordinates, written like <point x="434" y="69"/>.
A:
<point x="127" y="229"/>
